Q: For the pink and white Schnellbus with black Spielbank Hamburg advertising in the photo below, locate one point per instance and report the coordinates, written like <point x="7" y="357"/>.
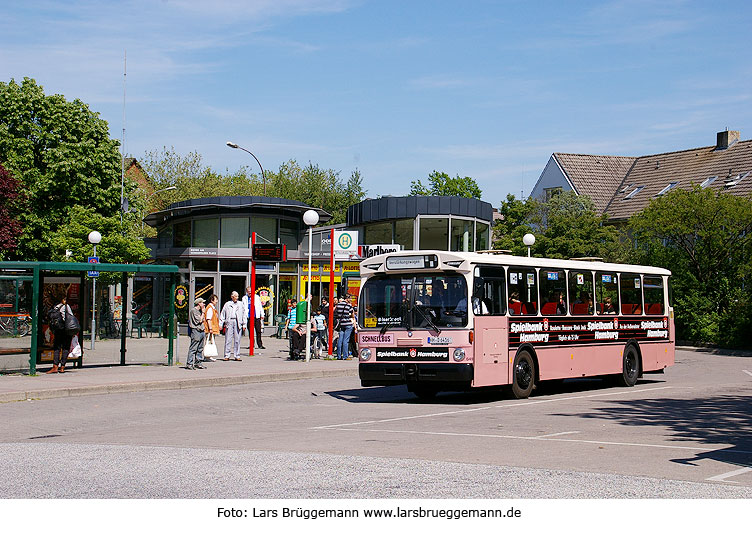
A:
<point x="455" y="321"/>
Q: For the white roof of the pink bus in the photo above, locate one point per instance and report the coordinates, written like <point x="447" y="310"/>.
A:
<point x="465" y="261"/>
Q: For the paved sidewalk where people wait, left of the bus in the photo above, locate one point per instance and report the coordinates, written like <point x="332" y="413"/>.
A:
<point x="270" y="364"/>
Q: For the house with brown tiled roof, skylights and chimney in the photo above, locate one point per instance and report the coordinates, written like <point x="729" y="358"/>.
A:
<point x="622" y="186"/>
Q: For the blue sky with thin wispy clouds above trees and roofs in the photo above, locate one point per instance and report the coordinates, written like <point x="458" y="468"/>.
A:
<point x="396" y="89"/>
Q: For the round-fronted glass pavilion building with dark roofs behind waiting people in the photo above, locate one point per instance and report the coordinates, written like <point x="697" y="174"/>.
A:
<point x="209" y="239"/>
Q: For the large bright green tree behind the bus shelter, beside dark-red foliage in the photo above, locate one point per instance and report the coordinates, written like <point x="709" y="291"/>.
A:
<point x="62" y="154"/>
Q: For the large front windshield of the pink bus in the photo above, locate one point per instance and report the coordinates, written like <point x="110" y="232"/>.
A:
<point x="414" y="301"/>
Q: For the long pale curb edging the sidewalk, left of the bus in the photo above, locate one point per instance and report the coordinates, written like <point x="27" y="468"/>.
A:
<point x="173" y="384"/>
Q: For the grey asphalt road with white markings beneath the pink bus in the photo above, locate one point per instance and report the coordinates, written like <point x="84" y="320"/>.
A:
<point x="683" y="434"/>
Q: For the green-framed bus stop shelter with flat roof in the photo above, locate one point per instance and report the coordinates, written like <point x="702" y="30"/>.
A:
<point x="33" y="272"/>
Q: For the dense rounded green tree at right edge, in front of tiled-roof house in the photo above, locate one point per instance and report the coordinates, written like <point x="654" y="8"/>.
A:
<point x="705" y="239"/>
